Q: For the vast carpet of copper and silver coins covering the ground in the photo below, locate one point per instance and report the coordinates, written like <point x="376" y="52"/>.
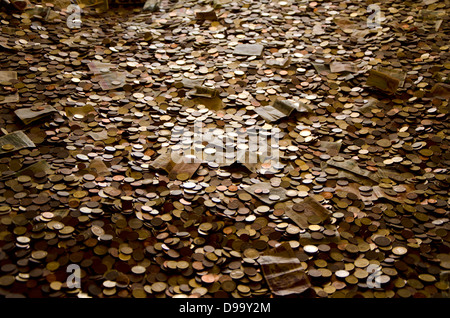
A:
<point x="129" y="86"/>
